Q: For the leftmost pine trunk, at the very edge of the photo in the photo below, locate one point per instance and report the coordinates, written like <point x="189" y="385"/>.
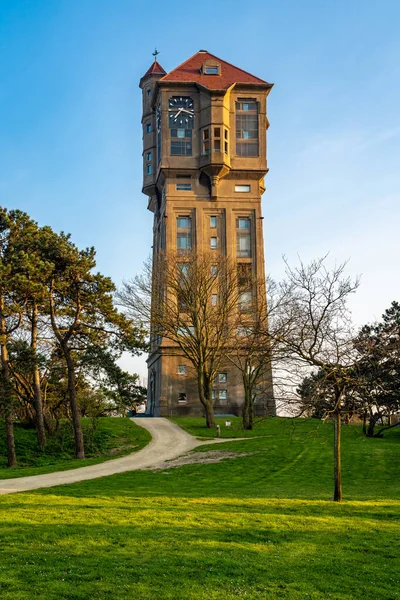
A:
<point x="6" y="391"/>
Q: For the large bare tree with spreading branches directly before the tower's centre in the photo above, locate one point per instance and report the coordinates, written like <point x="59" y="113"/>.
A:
<point x="192" y="302"/>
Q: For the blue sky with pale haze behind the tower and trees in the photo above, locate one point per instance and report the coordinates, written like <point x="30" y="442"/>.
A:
<point x="70" y="133"/>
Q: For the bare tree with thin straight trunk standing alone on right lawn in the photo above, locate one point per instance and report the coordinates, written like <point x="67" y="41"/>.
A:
<point x="314" y="329"/>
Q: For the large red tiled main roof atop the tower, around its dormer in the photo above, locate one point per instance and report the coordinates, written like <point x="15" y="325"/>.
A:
<point x="190" y="71"/>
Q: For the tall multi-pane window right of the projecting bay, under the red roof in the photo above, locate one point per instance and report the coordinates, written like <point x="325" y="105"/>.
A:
<point x="247" y="128"/>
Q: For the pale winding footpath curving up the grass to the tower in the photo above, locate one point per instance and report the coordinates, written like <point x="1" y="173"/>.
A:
<point x="168" y="441"/>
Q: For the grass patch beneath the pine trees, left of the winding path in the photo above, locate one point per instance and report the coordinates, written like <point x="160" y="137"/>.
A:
<point x="105" y="438"/>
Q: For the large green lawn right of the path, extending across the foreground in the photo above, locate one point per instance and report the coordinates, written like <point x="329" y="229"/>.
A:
<point x="258" y="526"/>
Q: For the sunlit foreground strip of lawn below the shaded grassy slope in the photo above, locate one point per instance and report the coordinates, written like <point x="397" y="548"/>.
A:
<point x="194" y="549"/>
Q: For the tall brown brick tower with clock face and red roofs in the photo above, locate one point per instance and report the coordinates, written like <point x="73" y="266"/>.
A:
<point x="204" y="162"/>
